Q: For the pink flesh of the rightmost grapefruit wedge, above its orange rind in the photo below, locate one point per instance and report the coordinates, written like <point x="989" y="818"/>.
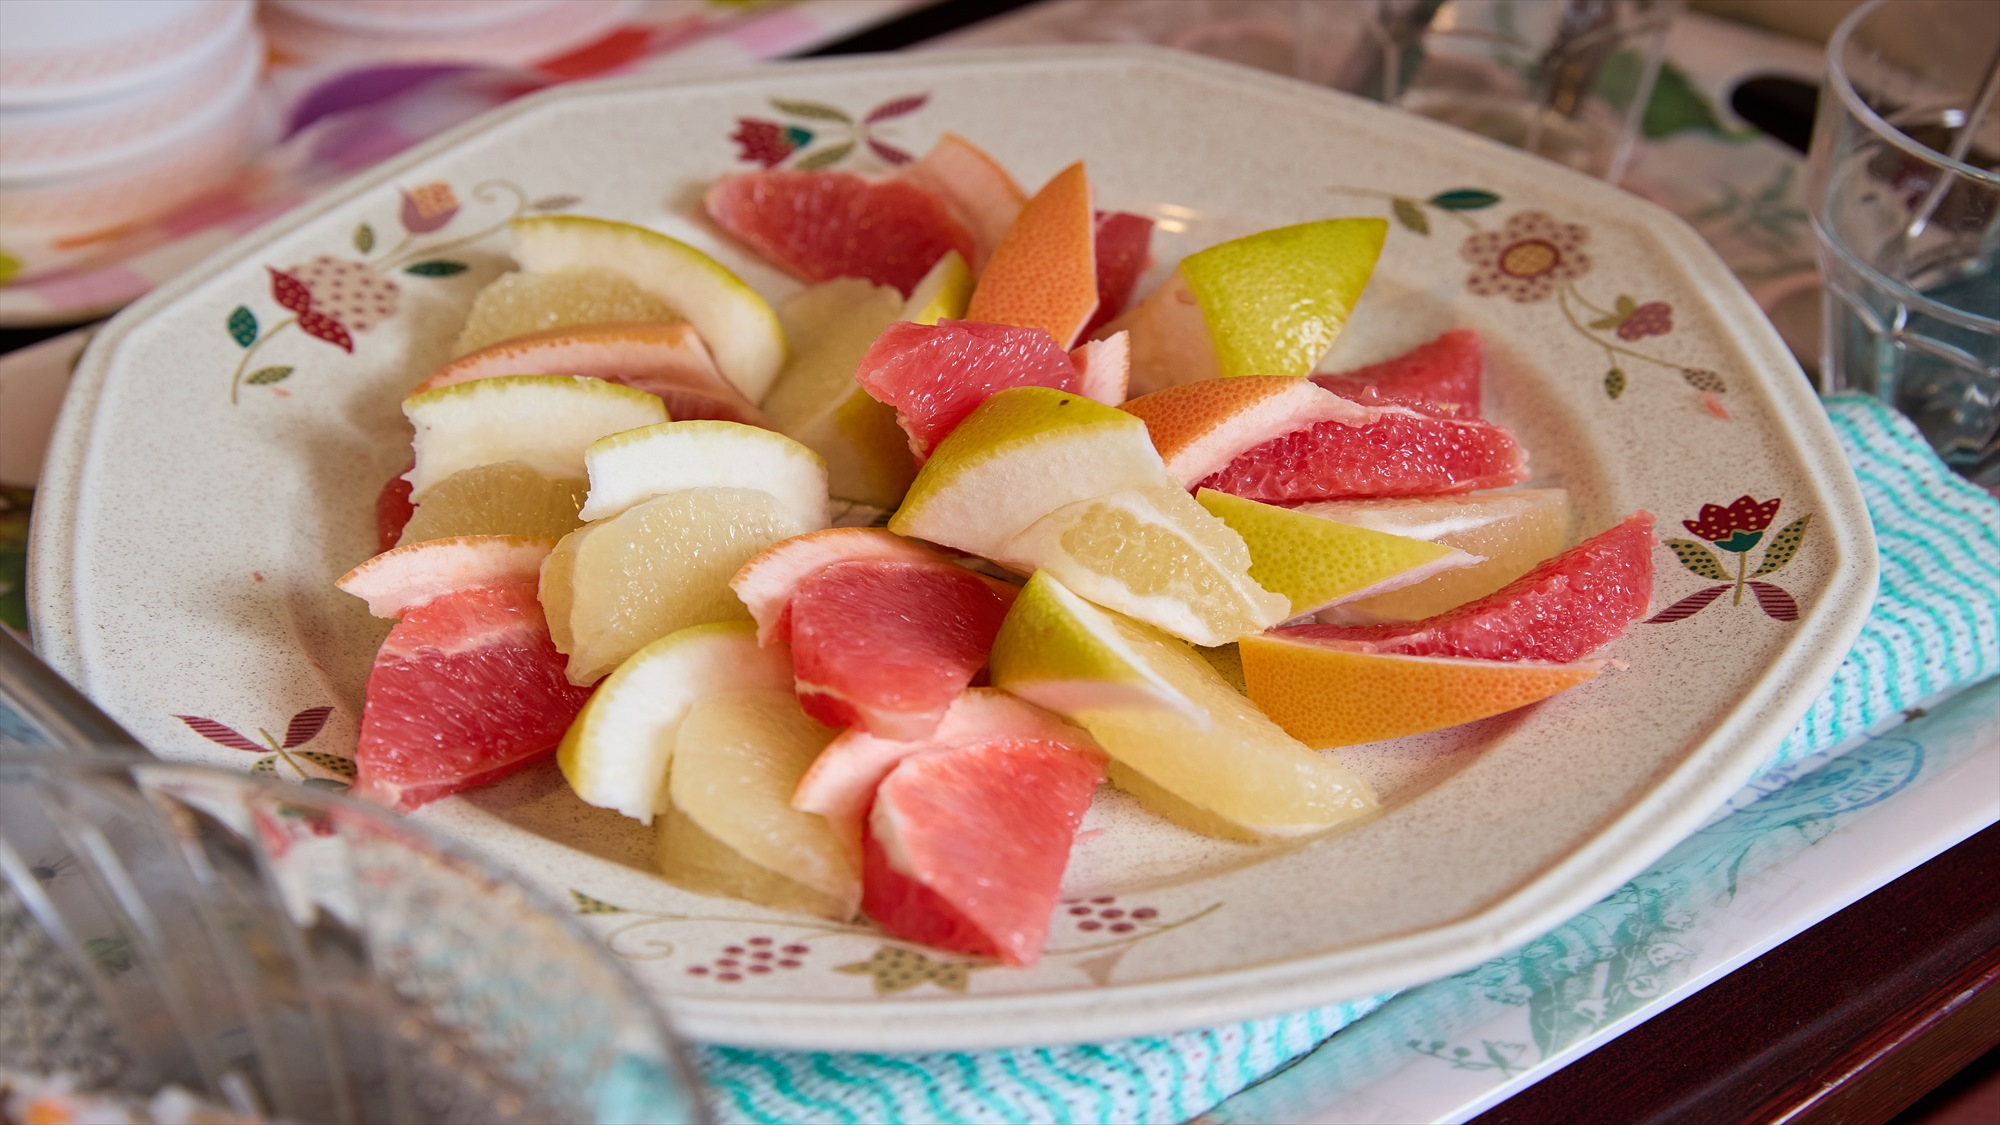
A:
<point x="1567" y="608"/>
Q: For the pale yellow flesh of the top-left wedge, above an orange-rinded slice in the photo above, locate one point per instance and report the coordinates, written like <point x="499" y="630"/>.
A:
<point x="529" y="303"/>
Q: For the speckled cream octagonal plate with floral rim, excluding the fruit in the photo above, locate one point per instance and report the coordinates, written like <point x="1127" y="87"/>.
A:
<point x="187" y="541"/>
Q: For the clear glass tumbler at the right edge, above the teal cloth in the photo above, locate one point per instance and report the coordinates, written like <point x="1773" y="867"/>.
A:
<point x="1905" y="199"/>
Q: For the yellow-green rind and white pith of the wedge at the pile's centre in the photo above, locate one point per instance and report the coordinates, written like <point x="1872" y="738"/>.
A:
<point x="1021" y="455"/>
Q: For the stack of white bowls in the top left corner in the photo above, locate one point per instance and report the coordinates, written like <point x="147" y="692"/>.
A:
<point x="115" y="113"/>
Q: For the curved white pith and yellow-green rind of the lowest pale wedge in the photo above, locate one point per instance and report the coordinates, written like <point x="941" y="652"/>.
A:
<point x="619" y="752"/>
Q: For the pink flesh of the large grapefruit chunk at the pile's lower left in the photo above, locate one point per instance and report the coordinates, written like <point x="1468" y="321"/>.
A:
<point x="467" y="690"/>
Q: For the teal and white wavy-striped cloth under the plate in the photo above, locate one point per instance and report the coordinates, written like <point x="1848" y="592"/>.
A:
<point x="1935" y="626"/>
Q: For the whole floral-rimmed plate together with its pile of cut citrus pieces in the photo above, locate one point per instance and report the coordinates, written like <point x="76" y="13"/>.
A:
<point x="921" y="566"/>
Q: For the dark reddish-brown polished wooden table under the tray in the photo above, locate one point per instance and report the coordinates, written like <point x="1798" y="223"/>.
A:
<point x="1855" y="1020"/>
